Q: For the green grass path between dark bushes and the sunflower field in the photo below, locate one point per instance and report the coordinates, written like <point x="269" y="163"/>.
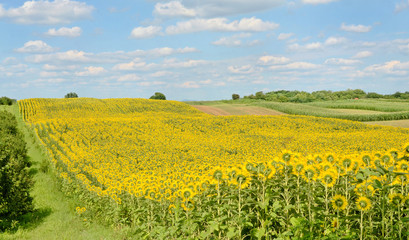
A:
<point x="55" y="216"/>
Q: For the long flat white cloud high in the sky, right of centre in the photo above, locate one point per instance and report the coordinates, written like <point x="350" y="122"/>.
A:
<point x="221" y="25"/>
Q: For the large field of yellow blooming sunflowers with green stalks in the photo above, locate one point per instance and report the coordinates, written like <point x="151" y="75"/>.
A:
<point x="163" y="170"/>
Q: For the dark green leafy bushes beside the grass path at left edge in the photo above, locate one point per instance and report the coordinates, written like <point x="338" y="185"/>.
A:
<point x="15" y="181"/>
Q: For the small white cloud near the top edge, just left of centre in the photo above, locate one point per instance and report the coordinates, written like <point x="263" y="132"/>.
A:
<point x="173" y="9"/>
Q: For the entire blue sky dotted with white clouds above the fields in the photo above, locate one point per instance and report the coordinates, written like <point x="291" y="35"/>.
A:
<point x="201" y="49"/>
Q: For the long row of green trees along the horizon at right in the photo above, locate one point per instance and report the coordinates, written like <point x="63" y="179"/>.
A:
<point x="324" y="95"/>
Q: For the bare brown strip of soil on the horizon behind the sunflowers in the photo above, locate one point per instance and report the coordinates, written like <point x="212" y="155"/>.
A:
<point x="227" y="110"/>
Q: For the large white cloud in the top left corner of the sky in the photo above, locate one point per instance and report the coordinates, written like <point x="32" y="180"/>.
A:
<point x="48" y="13"/>
